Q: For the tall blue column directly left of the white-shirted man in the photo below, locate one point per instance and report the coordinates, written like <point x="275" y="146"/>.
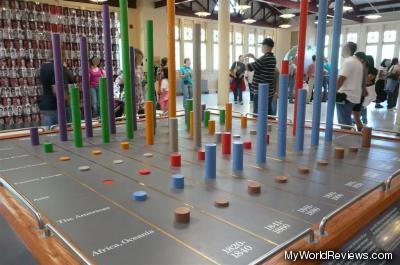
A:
<point x="337" y="28"/>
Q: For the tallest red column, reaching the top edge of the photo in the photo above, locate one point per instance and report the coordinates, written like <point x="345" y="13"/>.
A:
<point x="301" y="49"/>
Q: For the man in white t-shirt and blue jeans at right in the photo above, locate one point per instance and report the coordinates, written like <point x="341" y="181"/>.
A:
<point x="349" y="84"/>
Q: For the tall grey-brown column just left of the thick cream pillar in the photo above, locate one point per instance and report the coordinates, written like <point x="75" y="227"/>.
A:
<point x="197" y="85"/>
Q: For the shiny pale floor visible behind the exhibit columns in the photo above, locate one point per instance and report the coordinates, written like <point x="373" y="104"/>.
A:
<point x="377" y="118"/>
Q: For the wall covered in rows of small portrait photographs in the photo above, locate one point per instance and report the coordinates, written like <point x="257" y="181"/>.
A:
<point x="25" y="43"/>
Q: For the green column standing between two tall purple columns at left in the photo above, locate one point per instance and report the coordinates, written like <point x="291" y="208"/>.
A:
<point x="76" y="116"/>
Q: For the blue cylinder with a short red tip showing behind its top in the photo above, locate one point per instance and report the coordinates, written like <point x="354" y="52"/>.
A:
<point x="282" y="115"/>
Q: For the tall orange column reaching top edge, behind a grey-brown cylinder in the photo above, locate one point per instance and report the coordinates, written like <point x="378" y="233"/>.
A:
<point x="171" y="55"/>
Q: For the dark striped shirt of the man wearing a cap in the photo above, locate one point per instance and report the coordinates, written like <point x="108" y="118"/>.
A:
<point x="264" y="72"/>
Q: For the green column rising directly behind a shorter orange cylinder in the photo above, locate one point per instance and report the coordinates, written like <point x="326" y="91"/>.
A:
<point x="150" y="67"/>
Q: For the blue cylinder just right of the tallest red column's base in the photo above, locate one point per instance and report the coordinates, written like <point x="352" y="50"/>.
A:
<point x="301" y="118"/>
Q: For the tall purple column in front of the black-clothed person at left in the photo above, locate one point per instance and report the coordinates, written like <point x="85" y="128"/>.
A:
<point x="59" y="83"/>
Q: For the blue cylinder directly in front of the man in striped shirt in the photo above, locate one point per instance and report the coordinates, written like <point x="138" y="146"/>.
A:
<point x="262" y="121"/>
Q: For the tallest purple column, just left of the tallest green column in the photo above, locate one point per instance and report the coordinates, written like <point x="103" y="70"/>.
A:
<point x="108" y="66"/>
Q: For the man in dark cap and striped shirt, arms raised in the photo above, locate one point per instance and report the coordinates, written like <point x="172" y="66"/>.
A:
<point x="265" y="72"/>
